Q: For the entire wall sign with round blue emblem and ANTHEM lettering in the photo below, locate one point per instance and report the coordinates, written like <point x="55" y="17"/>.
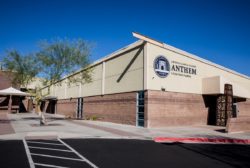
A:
<point x="162" y="68"/>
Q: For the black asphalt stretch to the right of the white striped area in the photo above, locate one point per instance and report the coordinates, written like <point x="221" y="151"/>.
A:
<point x="147" y="154"/>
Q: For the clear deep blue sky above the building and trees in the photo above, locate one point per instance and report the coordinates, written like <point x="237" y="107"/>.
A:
<point x="217" y="30"/>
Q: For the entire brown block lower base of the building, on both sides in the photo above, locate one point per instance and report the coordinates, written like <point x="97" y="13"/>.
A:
<point x="162" y="109"/>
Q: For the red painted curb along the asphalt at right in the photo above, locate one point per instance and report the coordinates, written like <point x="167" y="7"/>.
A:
<point x="201" y="140"/>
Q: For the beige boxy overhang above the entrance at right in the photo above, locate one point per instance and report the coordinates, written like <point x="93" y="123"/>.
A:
<point x="215" y="85"/>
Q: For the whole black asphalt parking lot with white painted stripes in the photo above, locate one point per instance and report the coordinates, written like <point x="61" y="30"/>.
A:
<point x="122" y="153"/>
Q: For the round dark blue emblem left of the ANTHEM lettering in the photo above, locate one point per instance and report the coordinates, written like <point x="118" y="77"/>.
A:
<point x="161" y="66"/>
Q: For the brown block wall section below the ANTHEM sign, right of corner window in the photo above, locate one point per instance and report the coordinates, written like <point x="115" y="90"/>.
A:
<point x="174" y="109"/>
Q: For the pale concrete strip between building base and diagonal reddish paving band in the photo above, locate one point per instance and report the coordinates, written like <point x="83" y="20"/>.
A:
<point x="187" y="131"/>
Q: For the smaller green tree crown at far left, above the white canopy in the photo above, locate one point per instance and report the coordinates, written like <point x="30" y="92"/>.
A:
<point x="21" y="68"/>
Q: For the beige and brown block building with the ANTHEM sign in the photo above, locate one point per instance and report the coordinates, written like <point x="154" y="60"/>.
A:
<point x="152" y="84"/>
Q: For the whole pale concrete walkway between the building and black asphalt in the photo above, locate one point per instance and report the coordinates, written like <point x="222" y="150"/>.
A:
<point x="28" y="125"/>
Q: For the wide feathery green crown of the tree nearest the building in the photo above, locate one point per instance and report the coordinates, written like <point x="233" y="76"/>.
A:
<point x="61" y="57"/>
